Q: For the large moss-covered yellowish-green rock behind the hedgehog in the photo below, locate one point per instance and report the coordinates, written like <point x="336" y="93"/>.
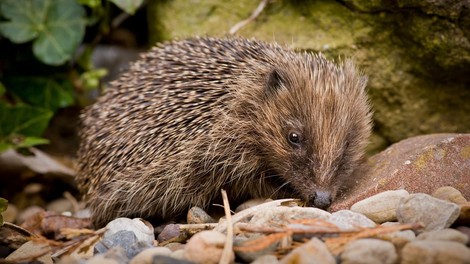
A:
<point x="416" y="53"/>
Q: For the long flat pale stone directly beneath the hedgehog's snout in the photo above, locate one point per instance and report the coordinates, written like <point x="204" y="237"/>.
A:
<point x="282" y="214"/>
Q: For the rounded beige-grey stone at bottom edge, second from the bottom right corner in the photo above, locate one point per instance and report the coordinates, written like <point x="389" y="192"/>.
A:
<point x="369" y="251"/>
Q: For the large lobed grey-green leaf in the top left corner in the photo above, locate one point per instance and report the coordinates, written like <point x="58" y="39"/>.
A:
<point x="57" y="26"/>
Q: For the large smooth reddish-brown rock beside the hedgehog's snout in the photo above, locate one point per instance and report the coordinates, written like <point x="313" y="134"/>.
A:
<point x="419" y="165"/>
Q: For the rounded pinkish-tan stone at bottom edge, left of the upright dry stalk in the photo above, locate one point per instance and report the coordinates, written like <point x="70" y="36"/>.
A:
<point x="206" y="247"/>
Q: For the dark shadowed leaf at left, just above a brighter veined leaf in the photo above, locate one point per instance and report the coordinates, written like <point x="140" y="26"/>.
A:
<point x="45" y="92"/>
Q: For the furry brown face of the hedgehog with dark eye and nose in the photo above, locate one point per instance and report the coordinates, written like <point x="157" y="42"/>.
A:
<point x="315" y="131"/>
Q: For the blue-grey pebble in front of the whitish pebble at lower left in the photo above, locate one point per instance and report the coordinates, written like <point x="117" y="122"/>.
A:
<point x="127" y="240"/>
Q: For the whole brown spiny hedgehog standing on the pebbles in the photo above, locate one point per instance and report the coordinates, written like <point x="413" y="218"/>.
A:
<point x="194" y="116"/>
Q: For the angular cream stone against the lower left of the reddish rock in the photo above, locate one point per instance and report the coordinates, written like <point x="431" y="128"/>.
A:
<point x="381" y="207"/>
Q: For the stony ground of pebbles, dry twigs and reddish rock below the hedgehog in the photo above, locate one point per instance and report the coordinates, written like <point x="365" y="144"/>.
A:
<point x="401" y="210"/>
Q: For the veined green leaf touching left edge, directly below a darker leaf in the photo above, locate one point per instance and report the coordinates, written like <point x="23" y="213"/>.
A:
<point x="22" y="120"/>
